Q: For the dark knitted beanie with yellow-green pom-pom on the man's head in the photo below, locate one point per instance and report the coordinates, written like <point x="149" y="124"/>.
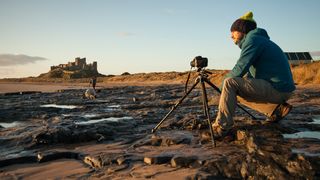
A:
<point x="244" y="24"/>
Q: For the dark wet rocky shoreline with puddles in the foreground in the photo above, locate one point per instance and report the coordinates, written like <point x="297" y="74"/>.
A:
<point x="110" y="137"/>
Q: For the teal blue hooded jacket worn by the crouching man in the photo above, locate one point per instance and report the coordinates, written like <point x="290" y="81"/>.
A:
<point x="263" y="59"/>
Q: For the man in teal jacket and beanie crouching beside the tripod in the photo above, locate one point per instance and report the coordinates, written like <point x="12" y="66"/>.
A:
<point x="261" y="78"/>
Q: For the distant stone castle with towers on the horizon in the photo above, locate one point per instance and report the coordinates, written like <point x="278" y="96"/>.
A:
<point x="78" y="64"/>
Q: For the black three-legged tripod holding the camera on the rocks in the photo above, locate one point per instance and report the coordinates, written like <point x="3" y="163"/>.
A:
<point x="202" y="78"/>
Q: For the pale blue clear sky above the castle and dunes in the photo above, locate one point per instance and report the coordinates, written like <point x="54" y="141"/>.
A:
<point x="138" y="36"/>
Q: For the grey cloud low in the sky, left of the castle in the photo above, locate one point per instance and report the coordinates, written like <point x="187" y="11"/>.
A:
<point x="20" y="59"/>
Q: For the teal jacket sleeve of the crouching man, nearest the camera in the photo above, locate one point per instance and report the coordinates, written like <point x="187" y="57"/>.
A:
<point x="248" y="55"/>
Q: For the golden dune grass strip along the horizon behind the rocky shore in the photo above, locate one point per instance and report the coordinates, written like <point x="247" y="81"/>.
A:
<point x="302" y="74"/>
